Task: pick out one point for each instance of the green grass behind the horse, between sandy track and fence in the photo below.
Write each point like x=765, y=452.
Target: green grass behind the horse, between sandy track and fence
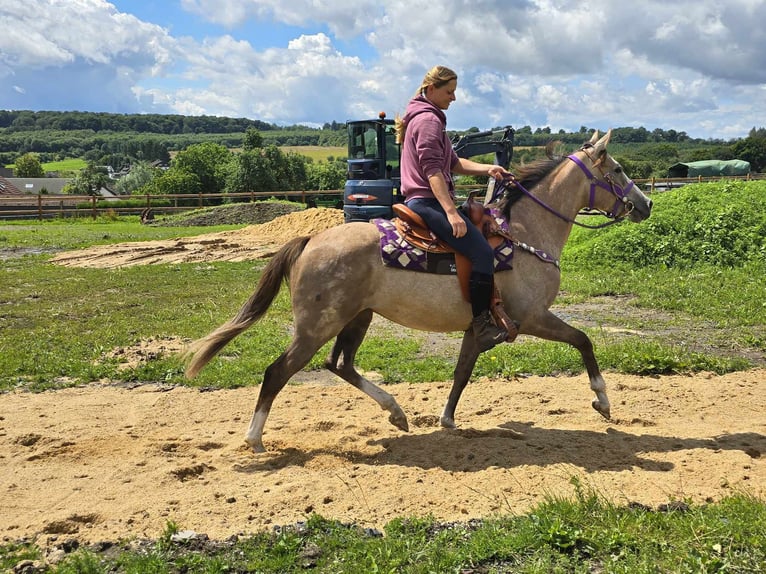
x=118, y=308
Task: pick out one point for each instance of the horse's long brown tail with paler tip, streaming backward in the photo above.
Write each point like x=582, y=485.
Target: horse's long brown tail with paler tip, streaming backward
x=201, y=351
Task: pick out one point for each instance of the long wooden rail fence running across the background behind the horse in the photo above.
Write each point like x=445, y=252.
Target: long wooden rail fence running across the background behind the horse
x=50, y=206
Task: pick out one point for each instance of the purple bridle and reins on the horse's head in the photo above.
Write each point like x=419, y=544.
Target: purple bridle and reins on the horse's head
x=622, y=206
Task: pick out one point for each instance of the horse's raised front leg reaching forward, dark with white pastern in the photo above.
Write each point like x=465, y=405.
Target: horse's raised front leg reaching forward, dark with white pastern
x=552, y=328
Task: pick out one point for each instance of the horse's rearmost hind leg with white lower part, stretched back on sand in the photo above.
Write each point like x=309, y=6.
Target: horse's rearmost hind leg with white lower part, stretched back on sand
x=276, y=375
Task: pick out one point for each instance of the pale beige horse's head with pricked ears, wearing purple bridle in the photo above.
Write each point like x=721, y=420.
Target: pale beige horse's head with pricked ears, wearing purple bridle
x=612, y=192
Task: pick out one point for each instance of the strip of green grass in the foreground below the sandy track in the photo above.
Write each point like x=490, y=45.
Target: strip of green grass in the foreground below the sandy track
x=584, y=533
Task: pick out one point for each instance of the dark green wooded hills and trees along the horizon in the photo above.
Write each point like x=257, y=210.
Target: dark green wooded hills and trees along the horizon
x=122, y=140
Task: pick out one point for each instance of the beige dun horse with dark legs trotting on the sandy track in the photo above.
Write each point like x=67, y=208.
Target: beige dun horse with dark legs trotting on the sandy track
x=337, y=282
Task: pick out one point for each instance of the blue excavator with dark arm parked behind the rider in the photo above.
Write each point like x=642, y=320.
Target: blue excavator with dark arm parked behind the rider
x=372, y=183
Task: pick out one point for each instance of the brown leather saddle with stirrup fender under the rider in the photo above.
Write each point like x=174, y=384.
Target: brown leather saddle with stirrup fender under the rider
x=415, y=231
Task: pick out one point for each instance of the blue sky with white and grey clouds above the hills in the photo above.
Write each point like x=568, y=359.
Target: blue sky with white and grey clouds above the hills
x=697, y=66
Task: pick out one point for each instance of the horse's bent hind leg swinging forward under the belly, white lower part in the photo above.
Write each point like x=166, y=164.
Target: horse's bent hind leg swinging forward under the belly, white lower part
x=341, y=362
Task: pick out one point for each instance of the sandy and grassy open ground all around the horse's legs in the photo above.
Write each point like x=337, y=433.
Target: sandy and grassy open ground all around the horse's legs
x=105, y=440
